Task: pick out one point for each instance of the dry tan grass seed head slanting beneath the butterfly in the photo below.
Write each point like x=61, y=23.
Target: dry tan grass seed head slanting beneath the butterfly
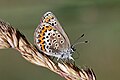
x=12, y=38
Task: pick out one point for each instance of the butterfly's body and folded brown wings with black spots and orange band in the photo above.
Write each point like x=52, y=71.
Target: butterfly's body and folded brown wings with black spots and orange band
x=50, y=38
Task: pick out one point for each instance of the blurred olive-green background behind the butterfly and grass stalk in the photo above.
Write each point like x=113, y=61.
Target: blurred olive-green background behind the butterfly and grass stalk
x=99, y=20
